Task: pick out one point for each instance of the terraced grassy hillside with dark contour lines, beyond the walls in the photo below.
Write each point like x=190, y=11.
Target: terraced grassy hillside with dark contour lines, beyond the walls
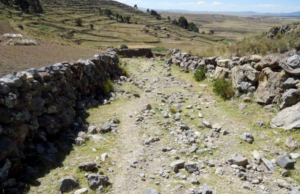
x=143, y=30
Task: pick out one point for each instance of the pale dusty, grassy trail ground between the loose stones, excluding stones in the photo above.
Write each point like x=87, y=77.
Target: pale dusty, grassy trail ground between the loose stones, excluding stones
x=124, y=146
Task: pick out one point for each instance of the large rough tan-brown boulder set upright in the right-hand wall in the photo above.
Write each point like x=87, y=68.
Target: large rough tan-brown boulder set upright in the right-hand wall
x=270, y=86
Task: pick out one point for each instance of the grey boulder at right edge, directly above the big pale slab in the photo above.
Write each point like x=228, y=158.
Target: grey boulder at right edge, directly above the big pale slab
x=290, y=98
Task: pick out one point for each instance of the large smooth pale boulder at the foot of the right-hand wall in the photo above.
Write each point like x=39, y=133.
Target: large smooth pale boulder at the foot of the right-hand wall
x=288, y=118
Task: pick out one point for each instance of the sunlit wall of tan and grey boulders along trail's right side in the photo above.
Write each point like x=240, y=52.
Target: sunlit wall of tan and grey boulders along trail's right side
x=271, y=80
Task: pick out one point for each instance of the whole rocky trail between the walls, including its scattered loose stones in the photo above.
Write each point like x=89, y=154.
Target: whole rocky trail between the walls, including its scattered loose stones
x=170, y=134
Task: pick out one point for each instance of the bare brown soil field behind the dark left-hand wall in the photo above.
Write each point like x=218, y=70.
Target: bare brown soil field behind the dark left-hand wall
x=17, y=58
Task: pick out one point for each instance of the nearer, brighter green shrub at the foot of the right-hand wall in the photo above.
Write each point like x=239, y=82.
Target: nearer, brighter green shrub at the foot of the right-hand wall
x=223, y=88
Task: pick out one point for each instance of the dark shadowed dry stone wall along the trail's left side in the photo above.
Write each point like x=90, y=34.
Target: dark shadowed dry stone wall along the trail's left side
x=35, y=105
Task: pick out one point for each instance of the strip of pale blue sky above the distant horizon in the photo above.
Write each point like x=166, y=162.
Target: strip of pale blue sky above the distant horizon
x=270, y=6
